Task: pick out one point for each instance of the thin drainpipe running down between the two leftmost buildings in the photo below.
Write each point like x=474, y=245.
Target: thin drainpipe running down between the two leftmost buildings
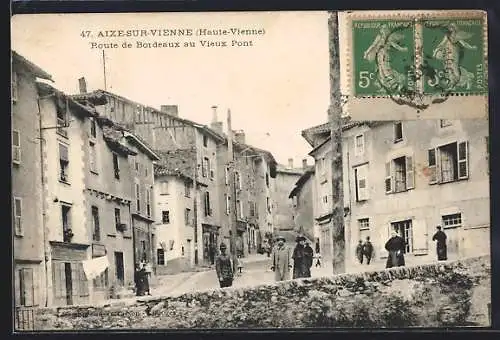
x=46, y=252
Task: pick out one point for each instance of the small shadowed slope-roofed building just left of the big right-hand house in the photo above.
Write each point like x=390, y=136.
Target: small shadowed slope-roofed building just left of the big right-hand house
x=302, y=196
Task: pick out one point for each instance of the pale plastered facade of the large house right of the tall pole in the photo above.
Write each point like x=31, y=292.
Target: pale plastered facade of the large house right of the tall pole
x=412, y=176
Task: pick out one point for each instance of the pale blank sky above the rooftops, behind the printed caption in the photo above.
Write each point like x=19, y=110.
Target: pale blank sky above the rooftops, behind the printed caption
x=275, y=88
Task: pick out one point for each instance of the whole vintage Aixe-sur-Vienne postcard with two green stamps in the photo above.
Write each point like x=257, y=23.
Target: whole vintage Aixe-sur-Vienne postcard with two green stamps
x=250, y=170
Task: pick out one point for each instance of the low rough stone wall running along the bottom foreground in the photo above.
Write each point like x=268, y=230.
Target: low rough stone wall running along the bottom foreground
x=437, y=295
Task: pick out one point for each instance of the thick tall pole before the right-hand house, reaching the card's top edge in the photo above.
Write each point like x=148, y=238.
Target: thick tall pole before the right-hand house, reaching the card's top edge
x=334, y=118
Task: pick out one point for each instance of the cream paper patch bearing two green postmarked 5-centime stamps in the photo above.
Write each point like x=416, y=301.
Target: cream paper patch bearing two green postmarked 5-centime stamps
x=411, y=61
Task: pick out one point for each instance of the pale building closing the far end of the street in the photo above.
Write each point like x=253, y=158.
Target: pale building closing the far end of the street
x=281, y=206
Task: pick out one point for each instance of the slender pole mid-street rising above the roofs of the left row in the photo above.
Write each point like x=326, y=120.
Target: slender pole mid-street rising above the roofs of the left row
x=232, y=189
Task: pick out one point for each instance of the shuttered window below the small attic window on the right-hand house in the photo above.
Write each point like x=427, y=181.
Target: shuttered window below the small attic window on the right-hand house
x=399, y=175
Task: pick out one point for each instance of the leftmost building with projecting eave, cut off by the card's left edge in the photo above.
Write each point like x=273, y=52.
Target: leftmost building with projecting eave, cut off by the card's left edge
x=26, y=175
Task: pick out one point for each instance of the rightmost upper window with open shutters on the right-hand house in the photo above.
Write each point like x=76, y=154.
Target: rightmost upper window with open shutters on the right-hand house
x=448, y=163
